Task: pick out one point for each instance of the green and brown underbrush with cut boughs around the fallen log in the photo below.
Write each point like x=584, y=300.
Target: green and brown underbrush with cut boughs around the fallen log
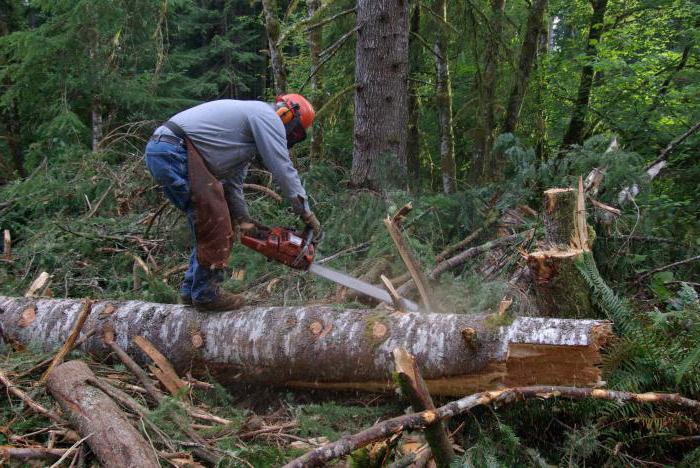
x=93, y=221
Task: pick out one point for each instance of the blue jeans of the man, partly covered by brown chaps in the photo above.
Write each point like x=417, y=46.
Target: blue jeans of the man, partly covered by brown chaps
x=167, y=163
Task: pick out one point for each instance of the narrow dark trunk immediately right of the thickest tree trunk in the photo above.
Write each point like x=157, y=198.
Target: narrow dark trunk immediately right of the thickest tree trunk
x=413, y=139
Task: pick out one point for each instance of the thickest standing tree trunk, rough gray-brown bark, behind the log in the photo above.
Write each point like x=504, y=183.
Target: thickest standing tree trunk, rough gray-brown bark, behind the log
x=381, y=96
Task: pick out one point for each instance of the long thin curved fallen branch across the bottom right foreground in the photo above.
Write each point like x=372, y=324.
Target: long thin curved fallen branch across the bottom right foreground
x=397, y=425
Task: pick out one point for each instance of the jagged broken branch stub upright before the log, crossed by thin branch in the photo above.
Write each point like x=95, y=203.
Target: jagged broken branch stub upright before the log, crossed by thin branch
x=416, y=391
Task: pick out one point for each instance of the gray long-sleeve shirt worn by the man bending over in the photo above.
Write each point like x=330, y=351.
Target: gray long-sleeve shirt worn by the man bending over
x=229, y=133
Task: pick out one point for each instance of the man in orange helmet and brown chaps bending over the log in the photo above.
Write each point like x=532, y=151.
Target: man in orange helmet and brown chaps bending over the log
x=200, y=158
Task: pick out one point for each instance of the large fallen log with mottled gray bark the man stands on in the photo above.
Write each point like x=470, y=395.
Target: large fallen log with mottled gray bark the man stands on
x=322, y=347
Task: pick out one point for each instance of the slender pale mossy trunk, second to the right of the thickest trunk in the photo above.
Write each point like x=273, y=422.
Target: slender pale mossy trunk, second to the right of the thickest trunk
x=444, y=100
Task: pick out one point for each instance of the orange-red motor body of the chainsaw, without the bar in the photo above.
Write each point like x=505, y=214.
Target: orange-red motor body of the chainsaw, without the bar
x=282, y=245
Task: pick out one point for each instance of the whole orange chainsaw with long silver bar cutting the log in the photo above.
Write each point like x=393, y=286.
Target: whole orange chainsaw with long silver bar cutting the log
x=295, y=249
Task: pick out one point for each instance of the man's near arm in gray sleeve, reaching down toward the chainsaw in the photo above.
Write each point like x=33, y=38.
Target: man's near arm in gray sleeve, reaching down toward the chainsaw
x=271, y=143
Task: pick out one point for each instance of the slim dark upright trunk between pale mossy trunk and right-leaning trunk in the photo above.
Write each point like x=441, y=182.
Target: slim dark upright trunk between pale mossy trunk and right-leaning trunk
x=485, y=163
